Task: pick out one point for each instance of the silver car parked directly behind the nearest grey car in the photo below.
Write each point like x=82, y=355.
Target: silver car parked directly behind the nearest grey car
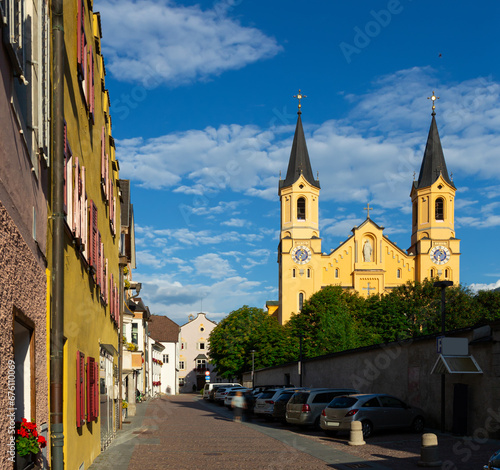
x=305, y=406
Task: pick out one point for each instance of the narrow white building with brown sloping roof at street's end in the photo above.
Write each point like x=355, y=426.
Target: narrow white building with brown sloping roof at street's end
x=166, y=332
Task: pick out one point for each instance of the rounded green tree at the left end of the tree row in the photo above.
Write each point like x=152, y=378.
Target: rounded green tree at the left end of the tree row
x=244, y=330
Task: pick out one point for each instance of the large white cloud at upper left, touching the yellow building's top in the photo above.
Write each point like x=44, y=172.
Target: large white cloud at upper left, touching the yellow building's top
x=159, y=42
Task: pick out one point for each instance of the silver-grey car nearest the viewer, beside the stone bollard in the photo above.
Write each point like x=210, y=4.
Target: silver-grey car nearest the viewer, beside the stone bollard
x=375, y=411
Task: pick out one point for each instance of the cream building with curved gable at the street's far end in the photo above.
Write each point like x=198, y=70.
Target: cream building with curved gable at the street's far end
x=194, y=353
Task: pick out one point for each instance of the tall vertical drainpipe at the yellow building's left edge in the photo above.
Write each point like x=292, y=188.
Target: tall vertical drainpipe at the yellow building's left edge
x=57, y=300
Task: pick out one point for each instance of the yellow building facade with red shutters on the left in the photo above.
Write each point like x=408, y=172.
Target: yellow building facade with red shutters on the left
x=92, y=243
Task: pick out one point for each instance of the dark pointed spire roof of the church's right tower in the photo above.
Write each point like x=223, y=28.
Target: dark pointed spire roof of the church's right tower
x=433, y=163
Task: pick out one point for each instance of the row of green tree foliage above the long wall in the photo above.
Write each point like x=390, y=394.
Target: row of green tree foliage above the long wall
x=334, y=319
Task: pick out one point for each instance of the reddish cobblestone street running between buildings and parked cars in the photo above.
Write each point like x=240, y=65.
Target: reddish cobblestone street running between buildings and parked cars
x=185, y=432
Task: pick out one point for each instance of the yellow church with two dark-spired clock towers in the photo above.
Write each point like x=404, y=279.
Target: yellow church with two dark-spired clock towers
x=367, y=262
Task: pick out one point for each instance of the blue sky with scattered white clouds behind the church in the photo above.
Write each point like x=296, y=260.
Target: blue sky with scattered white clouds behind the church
x=203, y=116
